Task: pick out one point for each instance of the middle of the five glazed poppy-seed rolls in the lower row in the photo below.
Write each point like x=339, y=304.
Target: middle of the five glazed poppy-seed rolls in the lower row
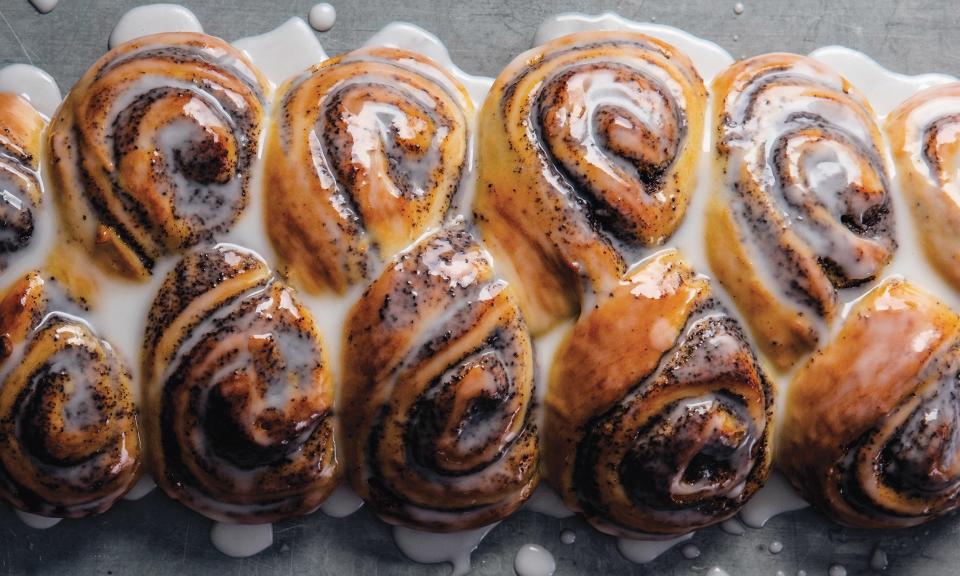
x=438, y=396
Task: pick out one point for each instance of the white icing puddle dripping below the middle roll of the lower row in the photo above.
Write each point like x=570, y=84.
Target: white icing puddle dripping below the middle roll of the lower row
x=433, y=548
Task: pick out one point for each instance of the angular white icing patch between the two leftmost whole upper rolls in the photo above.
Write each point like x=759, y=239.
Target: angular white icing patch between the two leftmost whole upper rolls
x=285, y=51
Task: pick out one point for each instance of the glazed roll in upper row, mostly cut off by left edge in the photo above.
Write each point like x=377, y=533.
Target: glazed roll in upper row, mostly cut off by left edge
x=21, y=197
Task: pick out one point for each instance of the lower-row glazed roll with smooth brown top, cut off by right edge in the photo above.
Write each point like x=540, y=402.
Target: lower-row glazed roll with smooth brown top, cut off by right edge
x=870, y=432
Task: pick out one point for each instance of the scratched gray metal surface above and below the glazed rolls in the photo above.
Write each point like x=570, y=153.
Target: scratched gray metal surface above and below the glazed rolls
x=157, y=537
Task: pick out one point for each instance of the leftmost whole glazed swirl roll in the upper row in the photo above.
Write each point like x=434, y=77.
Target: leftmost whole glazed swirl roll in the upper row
x=152, y=150
